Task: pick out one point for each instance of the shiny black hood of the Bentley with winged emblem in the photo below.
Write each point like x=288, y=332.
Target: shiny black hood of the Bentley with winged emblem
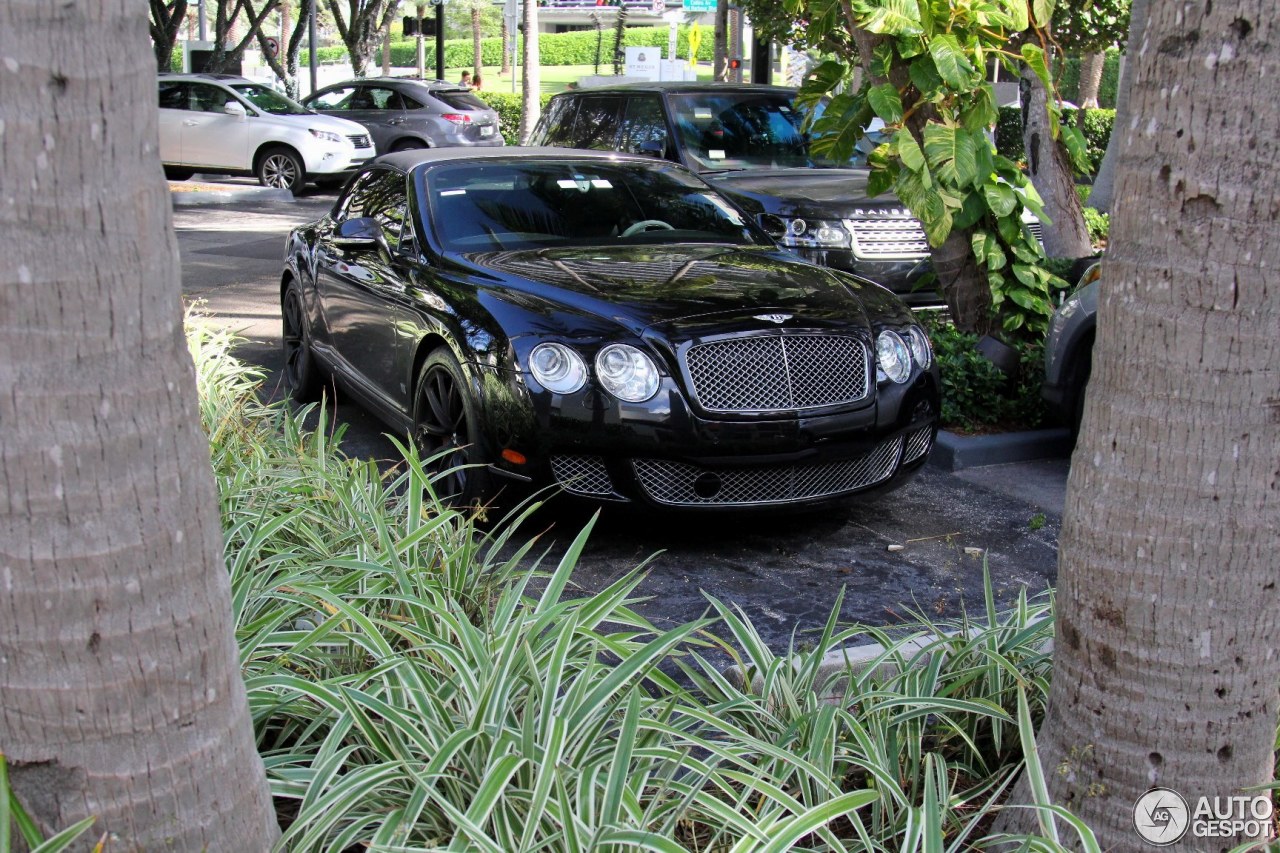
x=691, y=290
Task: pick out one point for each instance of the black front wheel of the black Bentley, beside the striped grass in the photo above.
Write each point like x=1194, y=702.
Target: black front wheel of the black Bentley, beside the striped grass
x=447, y=431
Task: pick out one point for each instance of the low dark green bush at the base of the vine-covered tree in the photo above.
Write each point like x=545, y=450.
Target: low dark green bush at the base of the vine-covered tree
x=976, y=395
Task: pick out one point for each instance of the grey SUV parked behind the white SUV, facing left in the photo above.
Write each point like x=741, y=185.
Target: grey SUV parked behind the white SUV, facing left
x=404, y=115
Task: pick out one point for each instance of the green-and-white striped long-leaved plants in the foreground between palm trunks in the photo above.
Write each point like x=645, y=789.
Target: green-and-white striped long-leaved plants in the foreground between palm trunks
x=415, y=685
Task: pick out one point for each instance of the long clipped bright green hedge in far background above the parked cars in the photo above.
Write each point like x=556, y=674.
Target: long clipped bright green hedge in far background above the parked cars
x=554, y=49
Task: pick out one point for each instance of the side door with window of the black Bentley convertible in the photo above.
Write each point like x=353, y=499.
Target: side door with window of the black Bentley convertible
x=362, y=291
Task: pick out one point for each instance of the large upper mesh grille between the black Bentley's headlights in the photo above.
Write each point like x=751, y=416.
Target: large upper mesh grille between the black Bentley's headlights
x=779, y=373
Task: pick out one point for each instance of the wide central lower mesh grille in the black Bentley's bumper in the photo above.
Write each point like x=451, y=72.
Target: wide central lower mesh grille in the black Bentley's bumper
x=684, y=485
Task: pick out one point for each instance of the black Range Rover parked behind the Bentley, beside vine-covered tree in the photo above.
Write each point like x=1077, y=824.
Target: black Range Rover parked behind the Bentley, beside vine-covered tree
x=747, y=142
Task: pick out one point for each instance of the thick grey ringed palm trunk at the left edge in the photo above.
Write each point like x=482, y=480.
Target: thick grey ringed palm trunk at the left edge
x=120, y=674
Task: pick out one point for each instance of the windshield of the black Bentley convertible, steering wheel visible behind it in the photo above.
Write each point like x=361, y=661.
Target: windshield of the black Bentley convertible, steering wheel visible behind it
x=537, y=204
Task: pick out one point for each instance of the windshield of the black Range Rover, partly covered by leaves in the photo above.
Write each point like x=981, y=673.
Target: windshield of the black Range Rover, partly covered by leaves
x=747, y=131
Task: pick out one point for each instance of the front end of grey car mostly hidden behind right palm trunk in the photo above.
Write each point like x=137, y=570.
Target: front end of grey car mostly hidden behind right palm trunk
x=1069, y=349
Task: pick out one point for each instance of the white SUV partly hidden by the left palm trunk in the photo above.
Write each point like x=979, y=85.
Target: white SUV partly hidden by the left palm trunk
x=232, y=126
